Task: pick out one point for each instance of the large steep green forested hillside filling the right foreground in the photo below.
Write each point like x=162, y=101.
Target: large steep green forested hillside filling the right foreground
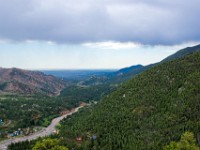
x=148, y=112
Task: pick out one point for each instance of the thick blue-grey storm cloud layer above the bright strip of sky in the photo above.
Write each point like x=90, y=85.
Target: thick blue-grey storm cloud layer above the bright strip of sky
x=76, y=21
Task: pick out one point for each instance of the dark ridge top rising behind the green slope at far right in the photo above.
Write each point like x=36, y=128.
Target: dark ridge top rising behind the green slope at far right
x=182, y=53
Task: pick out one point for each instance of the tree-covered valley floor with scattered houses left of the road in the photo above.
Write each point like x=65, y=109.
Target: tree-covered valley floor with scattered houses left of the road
x=25, y=113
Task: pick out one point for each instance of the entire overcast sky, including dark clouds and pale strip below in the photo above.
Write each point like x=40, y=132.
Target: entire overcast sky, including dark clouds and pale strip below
x=77, y=34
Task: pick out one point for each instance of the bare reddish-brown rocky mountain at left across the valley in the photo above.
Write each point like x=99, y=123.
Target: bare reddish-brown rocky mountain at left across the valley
x=17, y=81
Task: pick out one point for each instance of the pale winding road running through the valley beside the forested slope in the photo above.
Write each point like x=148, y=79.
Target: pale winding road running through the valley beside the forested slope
x=45, y=132
